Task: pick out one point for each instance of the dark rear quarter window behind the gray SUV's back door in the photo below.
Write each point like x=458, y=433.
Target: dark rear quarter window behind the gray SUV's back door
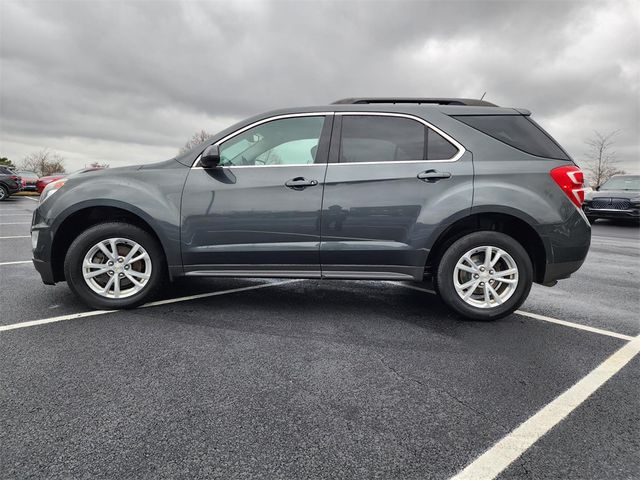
x=518, y=131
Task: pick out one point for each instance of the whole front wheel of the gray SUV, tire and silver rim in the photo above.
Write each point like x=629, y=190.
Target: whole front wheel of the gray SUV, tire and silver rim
x=115, y=265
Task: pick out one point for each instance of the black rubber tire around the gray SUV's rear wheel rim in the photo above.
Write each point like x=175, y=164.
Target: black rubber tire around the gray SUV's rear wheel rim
x=446, y=268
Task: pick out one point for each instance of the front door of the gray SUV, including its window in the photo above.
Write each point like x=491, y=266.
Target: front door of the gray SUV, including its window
x=258, y=213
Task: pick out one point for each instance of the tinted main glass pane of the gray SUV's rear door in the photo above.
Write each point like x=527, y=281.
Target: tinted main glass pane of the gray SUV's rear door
x=369, y=138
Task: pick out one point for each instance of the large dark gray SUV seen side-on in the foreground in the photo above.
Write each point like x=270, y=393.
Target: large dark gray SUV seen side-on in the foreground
x=477, y=198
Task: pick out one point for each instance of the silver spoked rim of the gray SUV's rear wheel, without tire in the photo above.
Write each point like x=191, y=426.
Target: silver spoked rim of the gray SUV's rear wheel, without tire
x=485, y=277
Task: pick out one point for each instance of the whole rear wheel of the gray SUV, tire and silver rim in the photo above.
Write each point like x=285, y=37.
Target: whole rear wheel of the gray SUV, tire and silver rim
x=484, y=275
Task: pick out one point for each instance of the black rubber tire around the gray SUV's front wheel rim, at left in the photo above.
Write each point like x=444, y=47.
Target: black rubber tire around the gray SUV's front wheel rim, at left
x=93, y=235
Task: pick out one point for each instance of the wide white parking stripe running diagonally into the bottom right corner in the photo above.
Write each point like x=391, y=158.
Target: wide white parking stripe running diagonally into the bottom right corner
x=495, y=460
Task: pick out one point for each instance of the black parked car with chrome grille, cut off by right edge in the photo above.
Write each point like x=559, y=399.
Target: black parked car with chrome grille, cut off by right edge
x=618, y=198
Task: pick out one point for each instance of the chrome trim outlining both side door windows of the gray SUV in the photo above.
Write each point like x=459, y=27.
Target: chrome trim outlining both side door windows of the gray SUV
x=456, y=157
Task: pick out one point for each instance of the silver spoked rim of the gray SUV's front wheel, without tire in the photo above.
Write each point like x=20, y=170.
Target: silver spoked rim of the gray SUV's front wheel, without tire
x=116, y=268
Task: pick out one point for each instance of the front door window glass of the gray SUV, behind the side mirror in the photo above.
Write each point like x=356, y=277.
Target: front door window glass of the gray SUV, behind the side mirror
x=288, y=141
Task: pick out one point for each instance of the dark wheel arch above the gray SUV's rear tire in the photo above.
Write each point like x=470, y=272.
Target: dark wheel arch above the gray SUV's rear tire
x=515, y=224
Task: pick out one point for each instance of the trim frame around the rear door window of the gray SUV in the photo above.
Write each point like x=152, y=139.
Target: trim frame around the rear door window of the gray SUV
x=334, y=159
